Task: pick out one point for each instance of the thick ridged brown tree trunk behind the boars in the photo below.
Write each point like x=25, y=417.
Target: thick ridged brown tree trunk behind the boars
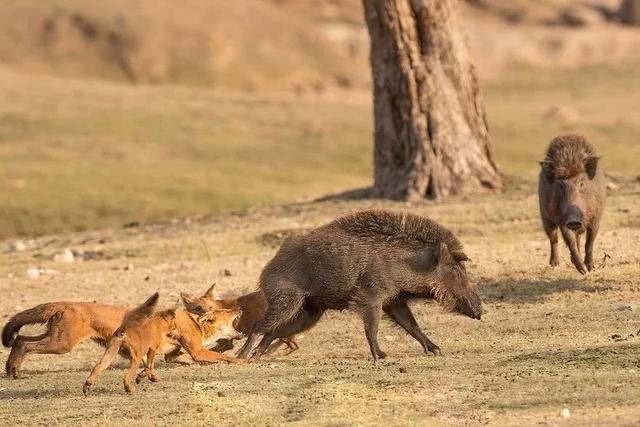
x=431, y=136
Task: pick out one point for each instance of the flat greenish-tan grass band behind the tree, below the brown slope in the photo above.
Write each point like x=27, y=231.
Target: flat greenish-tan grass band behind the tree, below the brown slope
x=78, y=154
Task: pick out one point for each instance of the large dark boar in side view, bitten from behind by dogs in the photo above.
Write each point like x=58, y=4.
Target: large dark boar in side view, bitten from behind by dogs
x=372, y=262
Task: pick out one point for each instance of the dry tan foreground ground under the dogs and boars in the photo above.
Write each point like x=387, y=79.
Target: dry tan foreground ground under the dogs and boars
x=554, y=347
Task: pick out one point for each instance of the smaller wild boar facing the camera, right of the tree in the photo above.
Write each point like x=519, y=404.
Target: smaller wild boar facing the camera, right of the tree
x=572, y=191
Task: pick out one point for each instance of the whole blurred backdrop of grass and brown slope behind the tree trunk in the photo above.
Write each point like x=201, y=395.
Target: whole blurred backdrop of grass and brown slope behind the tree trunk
x=120, y=111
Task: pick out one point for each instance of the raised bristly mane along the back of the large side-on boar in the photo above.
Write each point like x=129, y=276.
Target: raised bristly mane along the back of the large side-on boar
x=398, y=228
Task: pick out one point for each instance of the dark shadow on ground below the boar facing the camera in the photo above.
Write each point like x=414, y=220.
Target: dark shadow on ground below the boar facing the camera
x=513, y=291
